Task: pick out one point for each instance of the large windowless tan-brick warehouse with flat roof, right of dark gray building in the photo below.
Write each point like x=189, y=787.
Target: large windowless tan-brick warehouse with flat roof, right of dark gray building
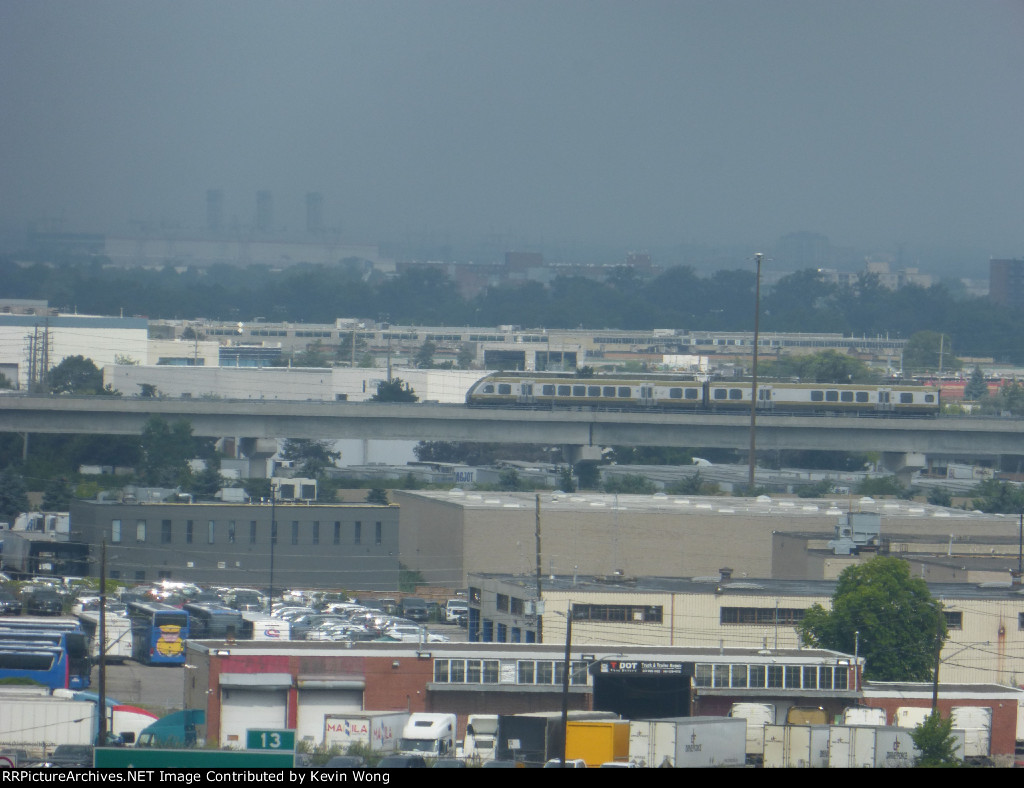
x=448, y=535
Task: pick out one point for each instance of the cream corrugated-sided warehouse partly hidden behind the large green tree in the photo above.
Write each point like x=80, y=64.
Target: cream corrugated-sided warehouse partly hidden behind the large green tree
x=986, y=622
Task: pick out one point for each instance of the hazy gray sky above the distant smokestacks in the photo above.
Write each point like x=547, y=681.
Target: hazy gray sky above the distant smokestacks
x=635, y=123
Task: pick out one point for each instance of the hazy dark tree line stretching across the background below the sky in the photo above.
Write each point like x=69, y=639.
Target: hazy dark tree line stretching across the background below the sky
x=625, y=300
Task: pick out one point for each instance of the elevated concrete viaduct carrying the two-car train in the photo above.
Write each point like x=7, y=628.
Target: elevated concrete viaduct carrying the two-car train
x=904, y=443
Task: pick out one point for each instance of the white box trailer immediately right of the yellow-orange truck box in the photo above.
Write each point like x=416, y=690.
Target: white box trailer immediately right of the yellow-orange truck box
x=689, y=742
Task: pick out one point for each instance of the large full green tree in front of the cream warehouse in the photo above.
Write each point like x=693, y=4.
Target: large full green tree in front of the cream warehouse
x=885, y=615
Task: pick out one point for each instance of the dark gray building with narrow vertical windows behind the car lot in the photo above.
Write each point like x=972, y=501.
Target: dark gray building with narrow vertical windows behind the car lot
x=339, y=546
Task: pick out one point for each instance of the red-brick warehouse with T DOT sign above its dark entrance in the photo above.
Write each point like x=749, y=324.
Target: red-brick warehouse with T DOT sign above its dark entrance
x=253, y=685
